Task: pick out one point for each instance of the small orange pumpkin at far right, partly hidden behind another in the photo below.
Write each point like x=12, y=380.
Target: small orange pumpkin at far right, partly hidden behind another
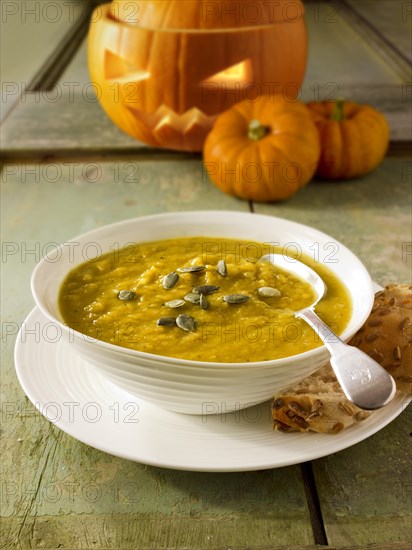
x=354, y=138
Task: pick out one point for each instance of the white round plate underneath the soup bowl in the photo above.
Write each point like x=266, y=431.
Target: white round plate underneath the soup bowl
x=72, y=395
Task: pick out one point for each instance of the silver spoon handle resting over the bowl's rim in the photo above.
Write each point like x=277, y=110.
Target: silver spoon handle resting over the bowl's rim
x=363, y=380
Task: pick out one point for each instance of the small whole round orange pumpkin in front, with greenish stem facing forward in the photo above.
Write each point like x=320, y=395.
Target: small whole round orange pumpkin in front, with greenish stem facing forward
x=264, y=150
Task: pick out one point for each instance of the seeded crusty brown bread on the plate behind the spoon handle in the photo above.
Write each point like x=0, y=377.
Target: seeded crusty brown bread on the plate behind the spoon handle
x=318, y=403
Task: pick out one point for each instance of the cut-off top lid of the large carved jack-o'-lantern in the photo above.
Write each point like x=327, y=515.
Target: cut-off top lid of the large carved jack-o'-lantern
x=206, y=14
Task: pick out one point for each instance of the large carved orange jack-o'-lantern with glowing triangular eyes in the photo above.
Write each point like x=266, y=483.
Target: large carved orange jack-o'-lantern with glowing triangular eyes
x=164, y=69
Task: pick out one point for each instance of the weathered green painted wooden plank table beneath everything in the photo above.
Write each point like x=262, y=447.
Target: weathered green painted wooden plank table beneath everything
x=66, y=169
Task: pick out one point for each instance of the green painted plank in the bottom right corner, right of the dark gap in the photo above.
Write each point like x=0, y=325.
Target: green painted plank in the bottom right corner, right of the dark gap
x=366, y=491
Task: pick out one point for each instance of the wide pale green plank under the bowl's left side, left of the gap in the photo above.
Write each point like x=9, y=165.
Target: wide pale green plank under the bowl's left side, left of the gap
x=57, y=490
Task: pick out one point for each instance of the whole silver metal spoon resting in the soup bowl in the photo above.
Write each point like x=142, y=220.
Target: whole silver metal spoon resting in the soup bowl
x=362, y=379
